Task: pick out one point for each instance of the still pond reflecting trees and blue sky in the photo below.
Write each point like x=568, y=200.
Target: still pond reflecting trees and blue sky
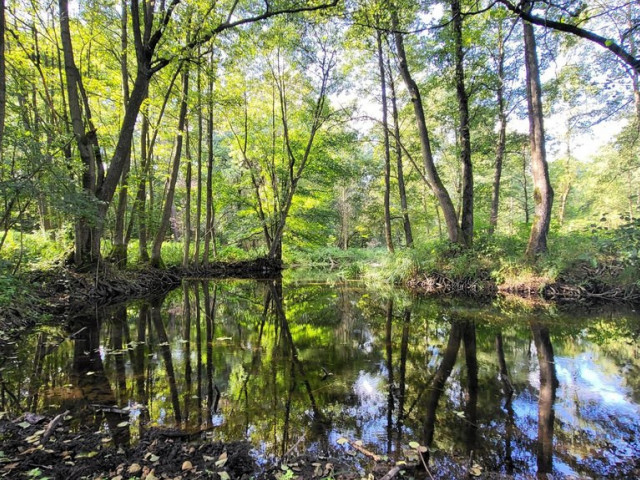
x=507, y=386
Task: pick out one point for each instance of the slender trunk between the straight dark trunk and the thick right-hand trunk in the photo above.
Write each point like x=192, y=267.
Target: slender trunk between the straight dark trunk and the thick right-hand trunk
x=502, y=136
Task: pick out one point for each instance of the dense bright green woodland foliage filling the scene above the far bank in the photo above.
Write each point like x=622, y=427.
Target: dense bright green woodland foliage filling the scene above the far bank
x=283, y=143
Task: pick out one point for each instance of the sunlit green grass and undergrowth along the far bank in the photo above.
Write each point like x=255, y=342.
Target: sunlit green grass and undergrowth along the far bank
x=613, y=252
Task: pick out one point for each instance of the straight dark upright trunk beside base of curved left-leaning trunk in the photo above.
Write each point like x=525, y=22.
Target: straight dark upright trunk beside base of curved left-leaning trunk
x=466, y=218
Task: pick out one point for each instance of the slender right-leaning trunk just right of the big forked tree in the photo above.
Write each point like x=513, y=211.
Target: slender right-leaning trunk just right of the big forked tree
x=156, y=250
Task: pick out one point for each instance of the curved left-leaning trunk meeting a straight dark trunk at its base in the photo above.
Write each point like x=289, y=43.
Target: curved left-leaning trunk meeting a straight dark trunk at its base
x=449, y=211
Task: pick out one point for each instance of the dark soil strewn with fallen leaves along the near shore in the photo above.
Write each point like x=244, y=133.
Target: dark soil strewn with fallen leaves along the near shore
x=79, y=453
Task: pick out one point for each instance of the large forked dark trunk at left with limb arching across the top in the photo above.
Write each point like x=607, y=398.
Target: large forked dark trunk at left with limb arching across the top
x=150, y=26
